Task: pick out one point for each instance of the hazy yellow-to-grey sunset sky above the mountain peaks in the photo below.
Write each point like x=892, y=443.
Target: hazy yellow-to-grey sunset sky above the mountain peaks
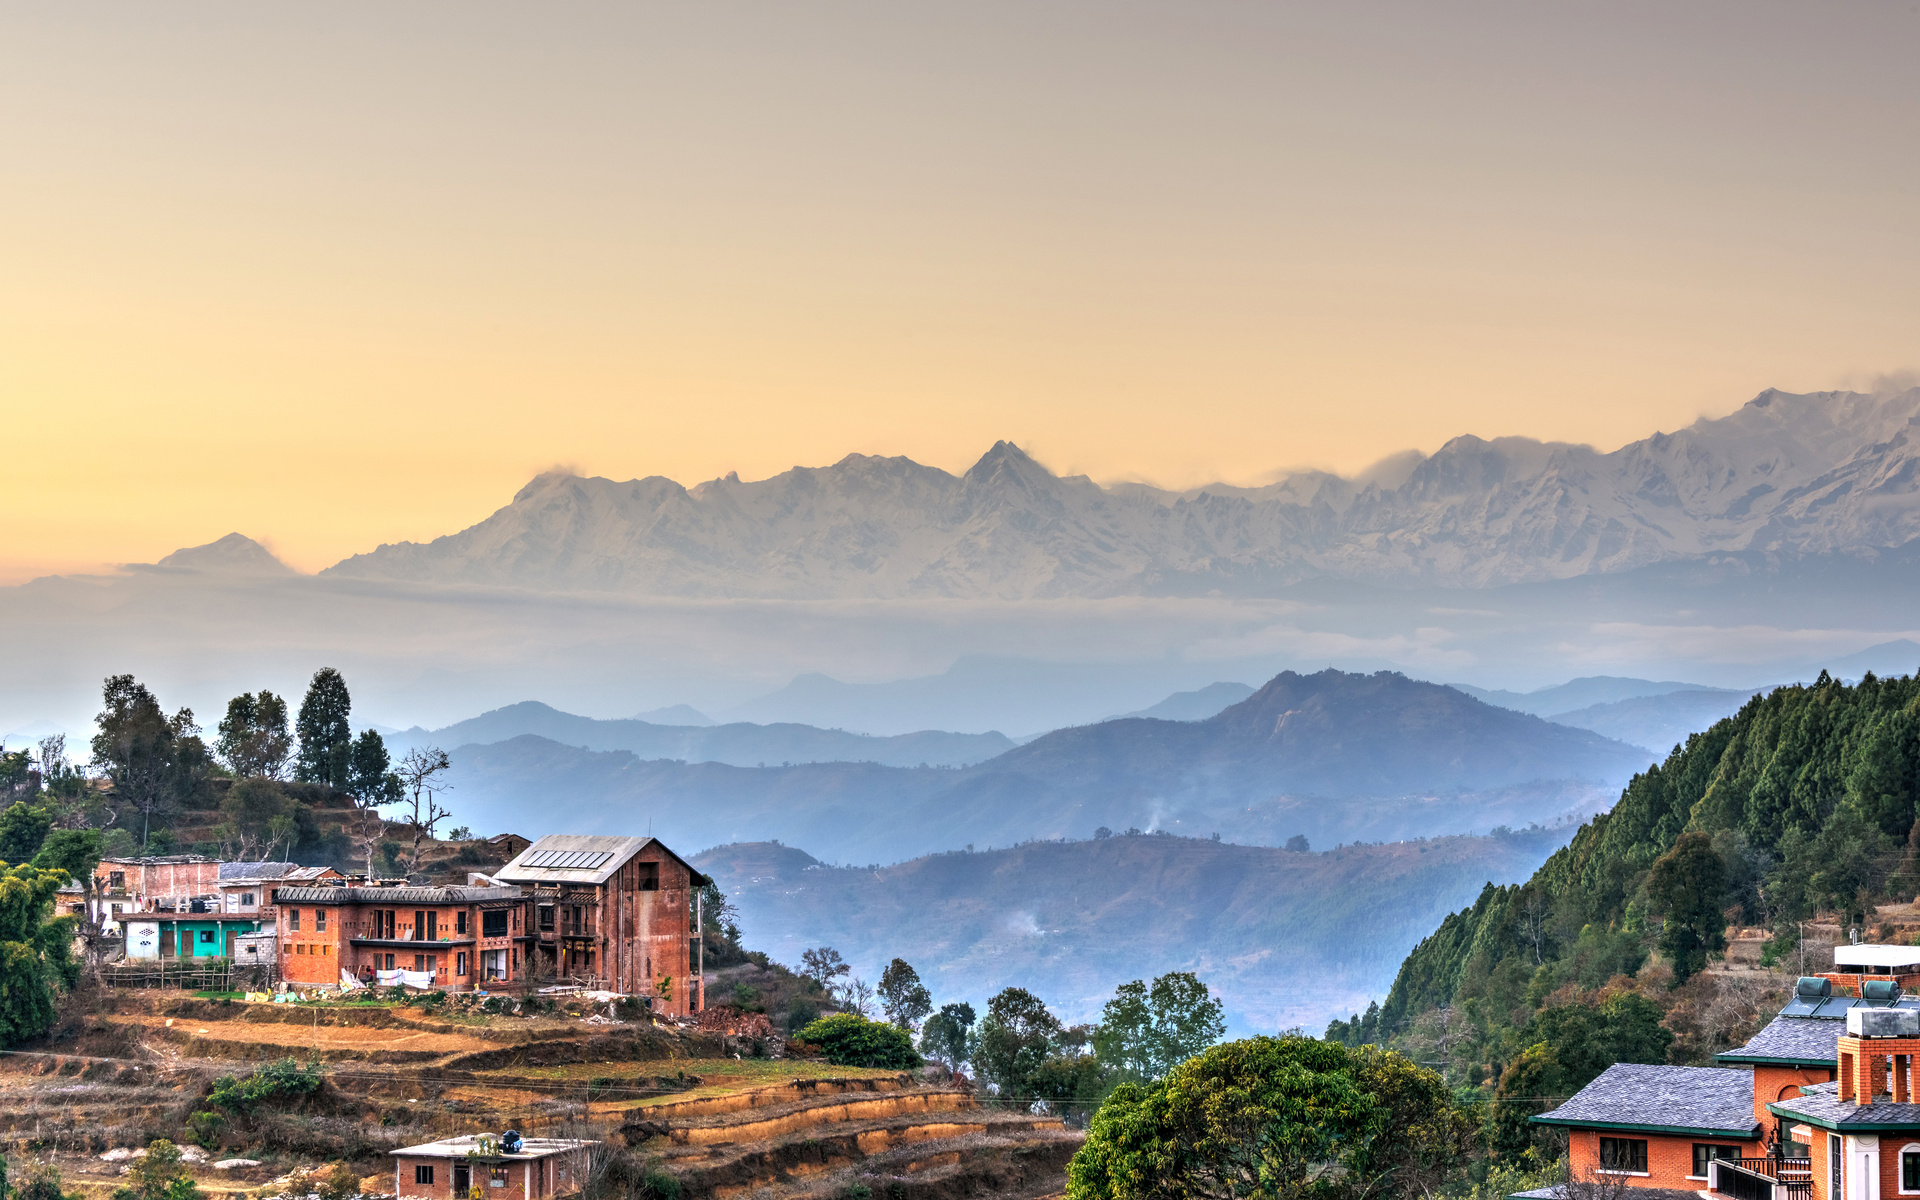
x=339, y=276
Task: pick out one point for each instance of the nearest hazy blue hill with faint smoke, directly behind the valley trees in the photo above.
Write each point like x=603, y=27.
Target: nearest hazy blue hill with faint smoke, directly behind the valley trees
x=1284, y=938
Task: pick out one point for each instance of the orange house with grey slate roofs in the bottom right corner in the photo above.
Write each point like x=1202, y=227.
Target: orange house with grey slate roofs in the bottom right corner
x=1817, y=1107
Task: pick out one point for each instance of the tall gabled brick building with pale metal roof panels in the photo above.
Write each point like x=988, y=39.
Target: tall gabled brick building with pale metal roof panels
x=617, y=913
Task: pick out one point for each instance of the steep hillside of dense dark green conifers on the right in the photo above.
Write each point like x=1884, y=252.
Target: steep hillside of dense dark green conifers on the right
x=1798, y=805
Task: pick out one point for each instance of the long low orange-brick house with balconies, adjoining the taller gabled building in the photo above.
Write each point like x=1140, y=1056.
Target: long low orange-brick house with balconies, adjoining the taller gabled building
x=454, y=938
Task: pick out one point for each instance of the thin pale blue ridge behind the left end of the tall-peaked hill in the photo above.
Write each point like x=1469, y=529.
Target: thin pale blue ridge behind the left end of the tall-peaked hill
x=736, y=744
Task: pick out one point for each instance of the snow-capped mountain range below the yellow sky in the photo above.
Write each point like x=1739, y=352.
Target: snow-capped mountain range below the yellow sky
x=1829, y=471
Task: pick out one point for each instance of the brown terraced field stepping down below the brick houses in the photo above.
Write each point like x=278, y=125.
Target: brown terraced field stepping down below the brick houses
x=667, y=1097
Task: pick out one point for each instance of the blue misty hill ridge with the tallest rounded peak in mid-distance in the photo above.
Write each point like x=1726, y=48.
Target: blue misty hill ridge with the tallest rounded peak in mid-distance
x=1335, y=757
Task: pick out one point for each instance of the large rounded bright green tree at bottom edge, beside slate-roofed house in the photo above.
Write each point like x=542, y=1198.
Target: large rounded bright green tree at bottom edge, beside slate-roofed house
x=1276, y=1116
